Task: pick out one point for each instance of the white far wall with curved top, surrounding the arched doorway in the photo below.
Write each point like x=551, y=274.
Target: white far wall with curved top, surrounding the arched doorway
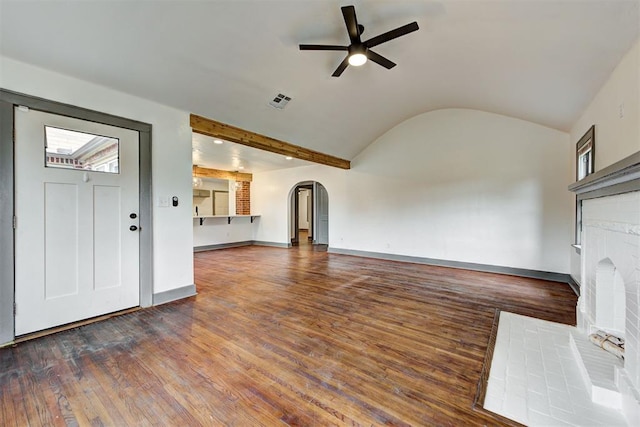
x=453, y=184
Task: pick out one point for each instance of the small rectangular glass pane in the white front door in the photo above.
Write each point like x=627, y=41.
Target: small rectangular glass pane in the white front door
x=70, y=149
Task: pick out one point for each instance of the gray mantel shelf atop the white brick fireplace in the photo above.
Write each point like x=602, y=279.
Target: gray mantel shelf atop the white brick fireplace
x=620, y=177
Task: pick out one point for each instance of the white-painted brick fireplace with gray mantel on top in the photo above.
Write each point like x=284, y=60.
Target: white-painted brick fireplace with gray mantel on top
x=610, y=268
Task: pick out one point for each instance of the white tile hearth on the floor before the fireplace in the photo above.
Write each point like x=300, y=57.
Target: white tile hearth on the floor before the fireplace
x=536, y=380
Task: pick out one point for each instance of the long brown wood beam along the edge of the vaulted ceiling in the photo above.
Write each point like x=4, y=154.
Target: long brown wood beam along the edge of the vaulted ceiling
x=230, y=133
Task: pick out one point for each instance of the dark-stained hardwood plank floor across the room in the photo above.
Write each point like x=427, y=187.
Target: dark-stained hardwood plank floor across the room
x=281, y=337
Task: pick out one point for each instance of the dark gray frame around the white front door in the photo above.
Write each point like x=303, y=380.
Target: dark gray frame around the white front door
x=8, y=100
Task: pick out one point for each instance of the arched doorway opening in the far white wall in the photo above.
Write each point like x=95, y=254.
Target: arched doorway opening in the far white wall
x=309, y=214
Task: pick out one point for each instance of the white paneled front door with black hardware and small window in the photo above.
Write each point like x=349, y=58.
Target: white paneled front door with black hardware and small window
x=76, y=207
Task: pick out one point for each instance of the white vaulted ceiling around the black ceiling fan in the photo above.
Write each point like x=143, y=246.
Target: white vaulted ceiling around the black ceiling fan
x=538, y=60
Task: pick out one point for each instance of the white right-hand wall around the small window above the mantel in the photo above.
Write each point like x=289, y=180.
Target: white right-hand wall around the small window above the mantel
x=616, y=137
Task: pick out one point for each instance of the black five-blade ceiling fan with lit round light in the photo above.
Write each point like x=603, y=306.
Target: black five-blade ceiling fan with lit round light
x=359, y=51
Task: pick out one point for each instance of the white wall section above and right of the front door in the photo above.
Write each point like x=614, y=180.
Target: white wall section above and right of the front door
x=171, y=158
